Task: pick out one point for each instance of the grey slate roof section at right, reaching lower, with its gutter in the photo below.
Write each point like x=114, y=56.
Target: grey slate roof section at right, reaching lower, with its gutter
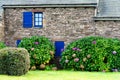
x=108, y=10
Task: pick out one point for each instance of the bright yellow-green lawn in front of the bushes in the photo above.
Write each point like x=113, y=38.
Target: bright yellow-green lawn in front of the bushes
x=64, y=75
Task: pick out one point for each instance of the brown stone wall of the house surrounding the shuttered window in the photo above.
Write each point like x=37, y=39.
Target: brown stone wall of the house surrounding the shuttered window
x=66, y=24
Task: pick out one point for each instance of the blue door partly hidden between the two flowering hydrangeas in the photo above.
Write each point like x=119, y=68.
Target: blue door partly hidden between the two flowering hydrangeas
x=59, y=47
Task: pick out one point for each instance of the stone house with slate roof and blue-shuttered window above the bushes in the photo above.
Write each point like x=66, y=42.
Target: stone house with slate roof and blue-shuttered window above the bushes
x=59, y=20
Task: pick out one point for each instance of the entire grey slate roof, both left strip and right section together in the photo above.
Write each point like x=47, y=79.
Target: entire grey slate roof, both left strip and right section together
x=106, y=9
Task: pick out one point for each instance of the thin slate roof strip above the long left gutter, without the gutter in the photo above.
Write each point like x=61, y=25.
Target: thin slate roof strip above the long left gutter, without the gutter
x=12, y=2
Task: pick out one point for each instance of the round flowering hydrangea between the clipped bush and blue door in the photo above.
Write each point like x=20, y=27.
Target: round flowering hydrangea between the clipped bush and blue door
x=41, y=50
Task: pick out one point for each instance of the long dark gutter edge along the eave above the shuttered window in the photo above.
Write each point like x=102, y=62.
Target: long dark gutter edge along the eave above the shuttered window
x=49, y=5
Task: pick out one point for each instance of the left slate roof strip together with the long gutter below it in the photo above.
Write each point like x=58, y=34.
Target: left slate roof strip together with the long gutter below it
x=50, y=3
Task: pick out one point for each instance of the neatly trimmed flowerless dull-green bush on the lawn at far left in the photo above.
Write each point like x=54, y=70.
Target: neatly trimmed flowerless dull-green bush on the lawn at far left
x=15, y=61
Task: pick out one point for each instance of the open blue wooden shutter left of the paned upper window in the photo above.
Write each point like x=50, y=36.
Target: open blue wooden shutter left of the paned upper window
x=27, y=19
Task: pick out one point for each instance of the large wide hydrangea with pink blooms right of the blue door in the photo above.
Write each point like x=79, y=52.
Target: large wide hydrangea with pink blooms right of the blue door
x=92, y=54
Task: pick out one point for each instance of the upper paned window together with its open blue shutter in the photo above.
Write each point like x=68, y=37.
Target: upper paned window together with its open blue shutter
x=30, y=21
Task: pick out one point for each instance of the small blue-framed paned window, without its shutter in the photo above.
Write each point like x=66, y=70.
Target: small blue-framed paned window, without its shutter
x=38, y=19
